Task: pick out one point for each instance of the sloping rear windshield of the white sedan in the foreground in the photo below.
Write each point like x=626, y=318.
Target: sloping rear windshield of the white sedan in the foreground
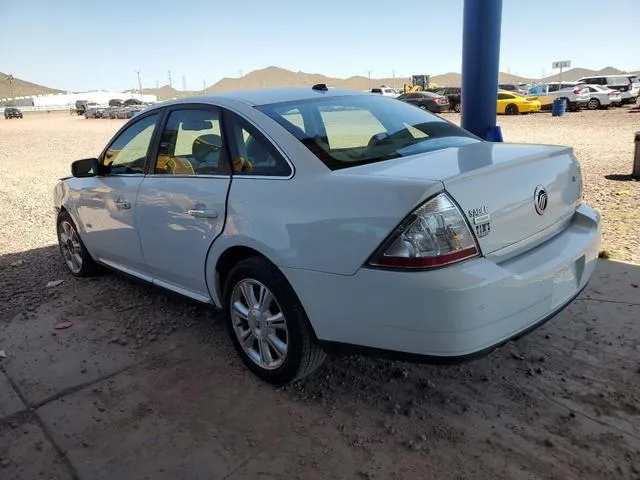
x=358, y=129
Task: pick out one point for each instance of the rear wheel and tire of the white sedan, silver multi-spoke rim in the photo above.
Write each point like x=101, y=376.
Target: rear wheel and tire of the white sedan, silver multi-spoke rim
x=243, y=287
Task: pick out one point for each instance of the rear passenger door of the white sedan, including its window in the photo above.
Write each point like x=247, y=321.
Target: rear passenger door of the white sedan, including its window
x=181, y=202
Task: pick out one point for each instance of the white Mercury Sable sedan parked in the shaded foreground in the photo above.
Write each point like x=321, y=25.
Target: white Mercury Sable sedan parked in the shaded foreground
x=326, y=220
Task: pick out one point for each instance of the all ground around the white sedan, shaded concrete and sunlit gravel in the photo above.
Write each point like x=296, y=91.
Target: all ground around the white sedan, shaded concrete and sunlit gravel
x=145, y=384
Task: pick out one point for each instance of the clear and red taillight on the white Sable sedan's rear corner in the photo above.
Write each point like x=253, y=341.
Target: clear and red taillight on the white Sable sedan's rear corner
x=433, y=235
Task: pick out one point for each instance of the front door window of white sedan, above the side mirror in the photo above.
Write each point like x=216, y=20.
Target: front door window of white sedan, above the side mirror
x=128, y=153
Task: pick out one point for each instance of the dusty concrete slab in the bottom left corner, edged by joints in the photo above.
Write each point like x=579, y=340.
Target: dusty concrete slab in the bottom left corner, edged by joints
x=25, y=454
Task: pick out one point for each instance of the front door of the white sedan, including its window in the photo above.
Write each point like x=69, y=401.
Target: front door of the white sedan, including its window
x=106, y=207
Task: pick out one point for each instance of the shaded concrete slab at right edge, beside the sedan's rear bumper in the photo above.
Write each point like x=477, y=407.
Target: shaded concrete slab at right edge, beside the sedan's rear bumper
x=615, y=281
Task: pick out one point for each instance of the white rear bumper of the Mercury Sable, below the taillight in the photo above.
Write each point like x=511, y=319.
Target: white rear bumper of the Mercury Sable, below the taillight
x=456, y=311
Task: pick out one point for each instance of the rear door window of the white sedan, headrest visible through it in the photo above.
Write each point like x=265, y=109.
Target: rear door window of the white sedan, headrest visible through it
x=191, y=144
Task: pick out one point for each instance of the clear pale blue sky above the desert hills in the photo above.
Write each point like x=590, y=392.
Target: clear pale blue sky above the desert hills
x=96, y=44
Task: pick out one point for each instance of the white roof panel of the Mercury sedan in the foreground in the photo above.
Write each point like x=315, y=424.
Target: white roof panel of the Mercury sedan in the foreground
x=266, y=96
